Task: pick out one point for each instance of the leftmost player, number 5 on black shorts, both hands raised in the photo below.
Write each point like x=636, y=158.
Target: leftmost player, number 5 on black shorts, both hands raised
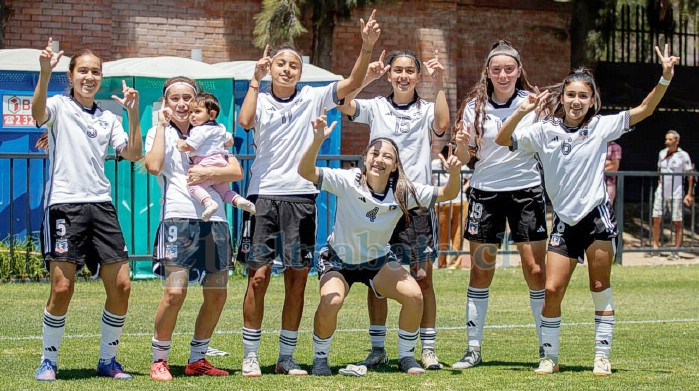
x=80, y=223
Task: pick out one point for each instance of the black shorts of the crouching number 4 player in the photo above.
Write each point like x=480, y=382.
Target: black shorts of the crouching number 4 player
x=329, y=261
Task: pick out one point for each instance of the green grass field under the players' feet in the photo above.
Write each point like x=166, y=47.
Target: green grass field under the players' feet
x=656, y=339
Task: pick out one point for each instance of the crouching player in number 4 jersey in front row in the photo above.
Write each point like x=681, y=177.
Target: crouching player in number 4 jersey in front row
x=369, y=204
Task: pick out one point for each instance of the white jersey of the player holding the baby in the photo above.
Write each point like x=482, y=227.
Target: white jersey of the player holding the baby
x=176, y=201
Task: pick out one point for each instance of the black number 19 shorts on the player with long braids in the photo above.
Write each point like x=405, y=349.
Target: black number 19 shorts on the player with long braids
x=524, y=210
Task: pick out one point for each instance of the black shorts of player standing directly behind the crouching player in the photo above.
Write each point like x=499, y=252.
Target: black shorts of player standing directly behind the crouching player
x=413, y=243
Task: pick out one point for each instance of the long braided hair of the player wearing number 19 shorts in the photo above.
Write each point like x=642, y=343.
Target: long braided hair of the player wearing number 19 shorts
x=483, y=90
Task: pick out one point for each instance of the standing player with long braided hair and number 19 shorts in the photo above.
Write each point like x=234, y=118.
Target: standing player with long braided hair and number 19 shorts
x=505, y=186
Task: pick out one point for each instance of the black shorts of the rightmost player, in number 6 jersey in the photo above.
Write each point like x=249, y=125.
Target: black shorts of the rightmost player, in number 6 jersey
x=572, y=241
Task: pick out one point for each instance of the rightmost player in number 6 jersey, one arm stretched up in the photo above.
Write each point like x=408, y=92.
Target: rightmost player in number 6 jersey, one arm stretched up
x=572, y=144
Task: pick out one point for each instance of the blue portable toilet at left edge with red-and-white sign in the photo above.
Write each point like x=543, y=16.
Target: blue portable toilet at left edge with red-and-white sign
x=22, y=180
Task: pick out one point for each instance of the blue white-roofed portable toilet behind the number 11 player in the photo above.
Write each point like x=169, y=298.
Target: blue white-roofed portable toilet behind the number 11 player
x=311, y=75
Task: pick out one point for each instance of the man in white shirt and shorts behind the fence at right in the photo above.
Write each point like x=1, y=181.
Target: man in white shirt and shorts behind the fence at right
x=668, y=195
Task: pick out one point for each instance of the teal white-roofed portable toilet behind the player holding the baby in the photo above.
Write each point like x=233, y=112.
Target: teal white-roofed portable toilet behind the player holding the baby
x=136, y=194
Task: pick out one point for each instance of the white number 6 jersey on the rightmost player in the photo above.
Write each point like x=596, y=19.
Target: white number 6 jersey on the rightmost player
x=573, y=160
